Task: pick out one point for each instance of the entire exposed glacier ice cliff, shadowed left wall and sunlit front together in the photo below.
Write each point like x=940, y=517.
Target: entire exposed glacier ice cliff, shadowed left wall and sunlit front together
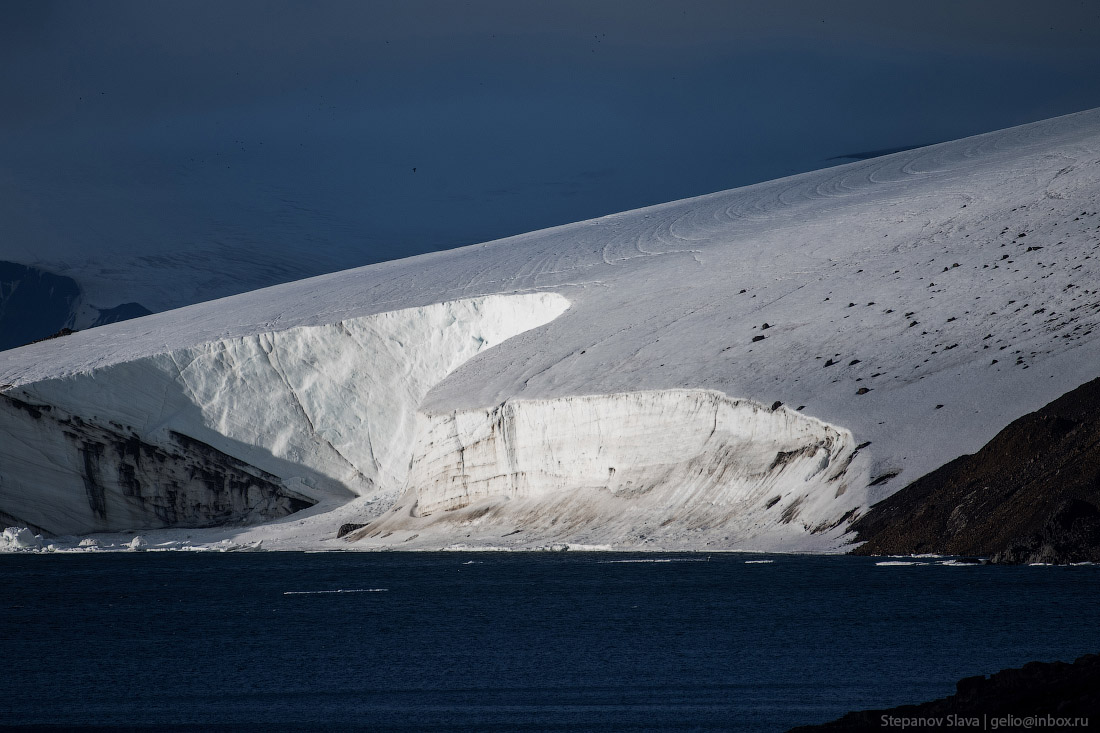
x=251, y=430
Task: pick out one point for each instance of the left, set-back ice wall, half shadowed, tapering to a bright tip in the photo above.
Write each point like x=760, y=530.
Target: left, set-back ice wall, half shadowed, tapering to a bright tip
x=309, y=414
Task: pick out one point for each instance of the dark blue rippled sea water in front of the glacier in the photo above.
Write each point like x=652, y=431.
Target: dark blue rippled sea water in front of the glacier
x=511, y=642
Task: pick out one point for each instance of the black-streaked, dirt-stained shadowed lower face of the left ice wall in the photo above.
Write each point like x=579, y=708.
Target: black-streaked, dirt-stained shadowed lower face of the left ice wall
x=130, y=484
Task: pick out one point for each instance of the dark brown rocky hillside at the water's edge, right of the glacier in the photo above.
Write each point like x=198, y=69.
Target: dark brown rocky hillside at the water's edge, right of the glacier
x=1029, y=496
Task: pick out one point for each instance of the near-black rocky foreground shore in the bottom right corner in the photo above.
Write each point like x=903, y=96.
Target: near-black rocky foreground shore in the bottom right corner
x=1057, y=693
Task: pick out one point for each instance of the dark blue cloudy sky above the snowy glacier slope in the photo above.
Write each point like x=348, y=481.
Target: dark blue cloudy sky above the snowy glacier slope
x=152, y=129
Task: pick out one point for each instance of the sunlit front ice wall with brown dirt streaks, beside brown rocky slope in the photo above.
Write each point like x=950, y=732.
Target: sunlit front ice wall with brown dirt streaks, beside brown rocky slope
x=676, y=468
